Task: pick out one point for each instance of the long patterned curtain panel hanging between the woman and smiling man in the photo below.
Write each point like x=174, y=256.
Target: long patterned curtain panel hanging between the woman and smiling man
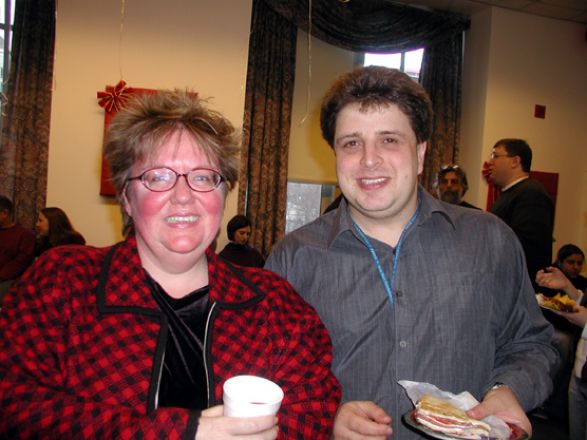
x=266, y=125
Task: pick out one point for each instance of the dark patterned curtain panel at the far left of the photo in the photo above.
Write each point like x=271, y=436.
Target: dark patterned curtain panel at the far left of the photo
x=24, y=140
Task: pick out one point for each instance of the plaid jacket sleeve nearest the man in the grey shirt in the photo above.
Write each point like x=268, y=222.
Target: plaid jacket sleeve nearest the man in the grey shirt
x=312, y=392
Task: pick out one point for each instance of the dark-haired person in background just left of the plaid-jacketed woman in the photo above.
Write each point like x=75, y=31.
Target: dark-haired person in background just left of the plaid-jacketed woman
x=55, y=229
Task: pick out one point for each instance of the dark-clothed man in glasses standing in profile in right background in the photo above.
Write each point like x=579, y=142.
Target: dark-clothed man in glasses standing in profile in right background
x=523, y=204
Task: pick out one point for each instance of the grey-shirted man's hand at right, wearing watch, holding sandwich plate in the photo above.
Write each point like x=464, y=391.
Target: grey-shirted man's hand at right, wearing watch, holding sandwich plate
x=502, y=403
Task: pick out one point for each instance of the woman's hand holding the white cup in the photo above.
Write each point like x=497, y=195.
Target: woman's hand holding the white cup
x=214, y=426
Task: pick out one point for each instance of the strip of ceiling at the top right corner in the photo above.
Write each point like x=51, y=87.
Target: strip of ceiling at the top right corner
x=569, y=10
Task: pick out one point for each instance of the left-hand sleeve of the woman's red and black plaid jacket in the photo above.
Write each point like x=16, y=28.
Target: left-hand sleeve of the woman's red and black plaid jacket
x=34, y=344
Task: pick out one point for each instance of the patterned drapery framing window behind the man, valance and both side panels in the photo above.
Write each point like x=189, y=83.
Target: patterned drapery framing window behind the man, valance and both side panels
x=365, y=25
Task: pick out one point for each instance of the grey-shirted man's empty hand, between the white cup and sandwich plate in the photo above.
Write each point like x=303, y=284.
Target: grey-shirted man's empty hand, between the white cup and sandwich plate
x=357, y=420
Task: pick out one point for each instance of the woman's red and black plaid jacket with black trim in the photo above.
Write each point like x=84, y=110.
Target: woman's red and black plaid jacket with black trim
x=82, y=342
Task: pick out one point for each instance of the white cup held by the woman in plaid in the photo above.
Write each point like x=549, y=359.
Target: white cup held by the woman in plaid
x=251, y=396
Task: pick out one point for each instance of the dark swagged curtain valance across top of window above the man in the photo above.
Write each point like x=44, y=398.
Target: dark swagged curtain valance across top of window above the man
x=371, y=25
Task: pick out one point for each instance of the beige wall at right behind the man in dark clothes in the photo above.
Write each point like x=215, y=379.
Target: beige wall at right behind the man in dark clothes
x=513, y=62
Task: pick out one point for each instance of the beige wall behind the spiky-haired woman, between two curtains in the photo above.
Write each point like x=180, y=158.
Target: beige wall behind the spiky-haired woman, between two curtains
x=201, y=45
